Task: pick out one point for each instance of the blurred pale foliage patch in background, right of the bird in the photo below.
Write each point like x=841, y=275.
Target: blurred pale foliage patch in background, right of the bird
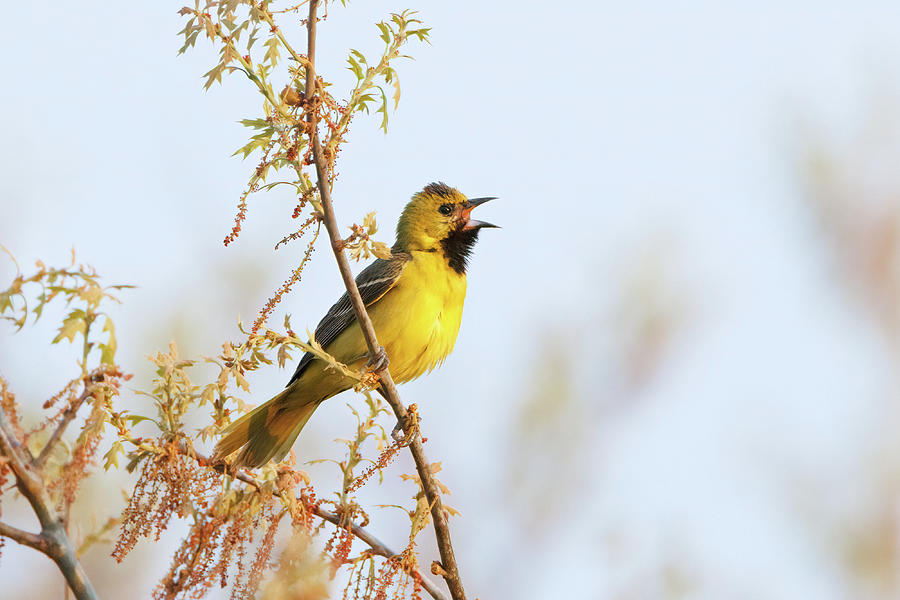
x=580, y=389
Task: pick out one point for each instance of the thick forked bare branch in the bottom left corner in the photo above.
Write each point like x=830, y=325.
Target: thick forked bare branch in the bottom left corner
x=52, y=541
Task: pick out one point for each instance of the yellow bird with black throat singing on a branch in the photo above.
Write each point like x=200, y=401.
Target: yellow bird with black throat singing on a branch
x=415, y=301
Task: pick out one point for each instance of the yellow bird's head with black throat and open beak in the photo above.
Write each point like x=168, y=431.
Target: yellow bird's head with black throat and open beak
x=439, y=219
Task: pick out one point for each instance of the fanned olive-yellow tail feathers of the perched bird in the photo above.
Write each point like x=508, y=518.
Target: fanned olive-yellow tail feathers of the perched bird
x=265, y=433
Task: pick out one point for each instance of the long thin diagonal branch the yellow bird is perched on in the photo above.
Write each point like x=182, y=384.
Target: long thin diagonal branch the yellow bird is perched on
x=432, y=493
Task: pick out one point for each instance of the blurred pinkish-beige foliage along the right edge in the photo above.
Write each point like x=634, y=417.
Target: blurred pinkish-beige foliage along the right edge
x=853, y=193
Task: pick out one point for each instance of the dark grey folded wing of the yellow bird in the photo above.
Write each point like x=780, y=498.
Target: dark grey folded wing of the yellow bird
x=373, y=282
